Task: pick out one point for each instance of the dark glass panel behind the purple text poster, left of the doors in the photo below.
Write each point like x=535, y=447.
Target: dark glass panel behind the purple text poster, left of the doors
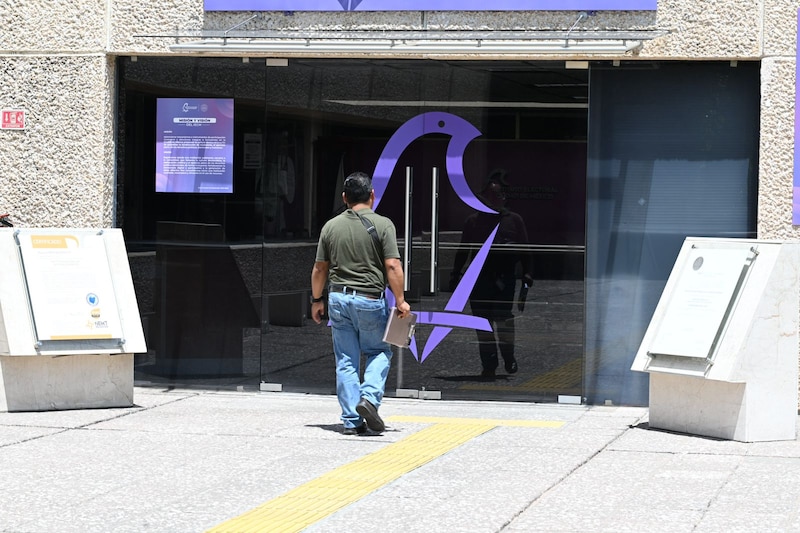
x=196, y=257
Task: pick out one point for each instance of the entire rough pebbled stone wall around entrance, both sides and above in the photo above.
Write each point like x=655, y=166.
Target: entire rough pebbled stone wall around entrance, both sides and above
x=57, y=62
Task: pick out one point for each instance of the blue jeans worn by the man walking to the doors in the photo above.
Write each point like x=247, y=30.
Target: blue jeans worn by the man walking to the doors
x=357, y=326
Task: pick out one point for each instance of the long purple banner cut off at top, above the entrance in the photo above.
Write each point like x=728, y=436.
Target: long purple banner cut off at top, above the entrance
x=430, y=5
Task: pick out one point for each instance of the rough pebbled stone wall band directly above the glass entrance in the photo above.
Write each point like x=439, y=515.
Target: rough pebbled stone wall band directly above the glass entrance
x=697, y=30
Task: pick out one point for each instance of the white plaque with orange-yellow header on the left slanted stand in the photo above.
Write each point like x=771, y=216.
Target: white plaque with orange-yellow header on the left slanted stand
x=69, y=285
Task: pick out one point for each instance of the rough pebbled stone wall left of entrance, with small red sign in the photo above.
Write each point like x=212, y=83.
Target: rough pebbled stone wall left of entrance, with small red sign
x=53, y=64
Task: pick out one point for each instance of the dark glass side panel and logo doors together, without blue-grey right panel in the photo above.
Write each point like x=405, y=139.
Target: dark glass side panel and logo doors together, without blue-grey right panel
x=224, y=280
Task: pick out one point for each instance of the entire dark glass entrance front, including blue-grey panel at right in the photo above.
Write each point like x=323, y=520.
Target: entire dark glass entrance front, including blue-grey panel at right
x=223, y=279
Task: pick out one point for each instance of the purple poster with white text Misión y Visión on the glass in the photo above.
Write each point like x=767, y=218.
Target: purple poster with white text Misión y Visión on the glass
x=194, y=145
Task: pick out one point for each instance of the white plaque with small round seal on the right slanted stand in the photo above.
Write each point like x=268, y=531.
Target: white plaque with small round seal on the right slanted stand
x=707, y=284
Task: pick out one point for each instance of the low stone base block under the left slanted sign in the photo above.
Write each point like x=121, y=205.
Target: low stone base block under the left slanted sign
x=42, y=383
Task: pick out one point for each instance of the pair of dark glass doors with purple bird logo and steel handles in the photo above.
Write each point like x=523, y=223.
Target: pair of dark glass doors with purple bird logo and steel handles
x=481, y=165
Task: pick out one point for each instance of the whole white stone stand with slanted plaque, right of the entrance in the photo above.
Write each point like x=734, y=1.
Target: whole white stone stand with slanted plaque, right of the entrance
x=722, y=346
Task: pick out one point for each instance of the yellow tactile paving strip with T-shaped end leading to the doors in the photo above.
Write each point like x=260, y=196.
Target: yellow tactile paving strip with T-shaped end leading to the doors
x=323, y=496
